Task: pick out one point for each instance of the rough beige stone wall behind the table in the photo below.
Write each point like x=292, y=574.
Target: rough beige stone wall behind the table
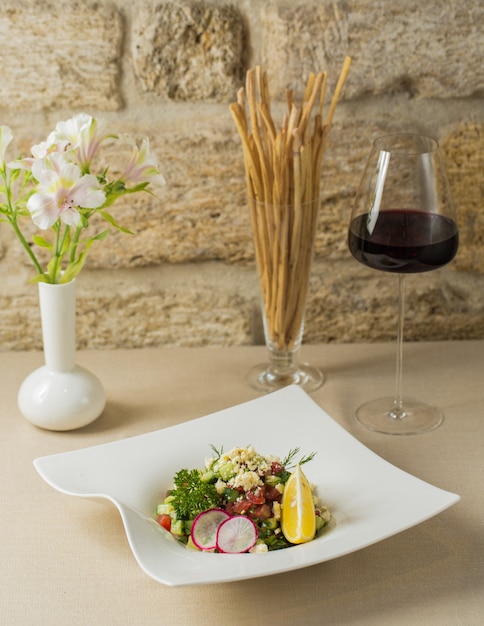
x=168, y=70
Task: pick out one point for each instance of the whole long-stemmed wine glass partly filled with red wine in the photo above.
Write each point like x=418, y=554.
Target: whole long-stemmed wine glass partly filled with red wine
x=403, y=221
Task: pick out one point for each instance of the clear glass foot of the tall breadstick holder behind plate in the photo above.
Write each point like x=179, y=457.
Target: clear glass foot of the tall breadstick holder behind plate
x=265, y=378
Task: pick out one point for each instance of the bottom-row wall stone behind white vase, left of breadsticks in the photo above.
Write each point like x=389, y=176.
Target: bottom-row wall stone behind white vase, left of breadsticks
x=189, y=306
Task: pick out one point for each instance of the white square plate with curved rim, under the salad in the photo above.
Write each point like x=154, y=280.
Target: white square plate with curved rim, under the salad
x=368, y=497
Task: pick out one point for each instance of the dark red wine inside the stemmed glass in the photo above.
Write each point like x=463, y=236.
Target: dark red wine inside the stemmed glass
x=404, y=241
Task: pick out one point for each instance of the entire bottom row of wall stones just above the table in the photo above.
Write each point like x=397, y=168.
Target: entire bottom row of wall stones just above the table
x=215, y=304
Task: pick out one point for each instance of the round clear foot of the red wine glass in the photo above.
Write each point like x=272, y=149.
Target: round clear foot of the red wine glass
x=415, y=417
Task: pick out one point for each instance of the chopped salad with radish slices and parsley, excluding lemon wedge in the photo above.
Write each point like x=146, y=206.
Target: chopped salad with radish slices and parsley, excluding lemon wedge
x=233, y=503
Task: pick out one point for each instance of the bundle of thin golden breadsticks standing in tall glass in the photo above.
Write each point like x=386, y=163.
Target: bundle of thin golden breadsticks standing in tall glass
x=283, y=172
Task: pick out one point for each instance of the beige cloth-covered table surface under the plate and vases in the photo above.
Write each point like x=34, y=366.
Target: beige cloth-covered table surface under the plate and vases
x=66, y=560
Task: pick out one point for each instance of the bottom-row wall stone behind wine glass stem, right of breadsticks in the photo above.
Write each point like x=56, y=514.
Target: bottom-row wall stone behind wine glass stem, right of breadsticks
x=350, y=303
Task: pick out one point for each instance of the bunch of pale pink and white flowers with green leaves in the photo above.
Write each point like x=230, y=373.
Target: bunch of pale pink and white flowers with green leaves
x=59, y=186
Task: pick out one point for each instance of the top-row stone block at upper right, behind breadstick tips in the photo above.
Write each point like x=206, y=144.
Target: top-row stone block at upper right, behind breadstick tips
x=420, y=49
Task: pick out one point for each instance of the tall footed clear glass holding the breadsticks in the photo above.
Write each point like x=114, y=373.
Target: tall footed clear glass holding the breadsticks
x=284, y=238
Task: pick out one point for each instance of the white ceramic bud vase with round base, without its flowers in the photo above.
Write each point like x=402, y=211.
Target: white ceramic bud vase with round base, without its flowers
x=60, y=395
